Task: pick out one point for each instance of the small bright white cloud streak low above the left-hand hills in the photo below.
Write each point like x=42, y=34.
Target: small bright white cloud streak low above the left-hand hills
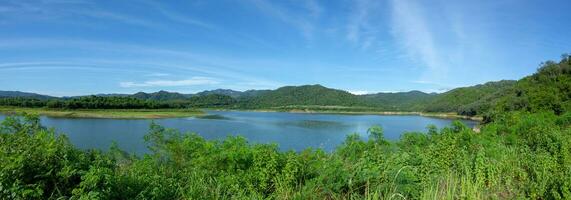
x=194, y=81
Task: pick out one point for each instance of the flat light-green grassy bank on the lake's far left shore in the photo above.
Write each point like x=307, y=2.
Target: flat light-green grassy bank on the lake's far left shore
x=106, y=113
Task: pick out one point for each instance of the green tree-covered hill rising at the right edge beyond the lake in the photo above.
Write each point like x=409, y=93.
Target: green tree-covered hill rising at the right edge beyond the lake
x=549, y=89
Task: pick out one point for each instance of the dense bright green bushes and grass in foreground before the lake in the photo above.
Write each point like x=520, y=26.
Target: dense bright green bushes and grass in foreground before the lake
x=519, y=155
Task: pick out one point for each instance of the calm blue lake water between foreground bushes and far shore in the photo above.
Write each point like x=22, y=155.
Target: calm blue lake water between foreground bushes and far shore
x=291, y=131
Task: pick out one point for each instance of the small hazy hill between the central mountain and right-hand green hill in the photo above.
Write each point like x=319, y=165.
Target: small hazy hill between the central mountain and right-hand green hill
x=400, y=101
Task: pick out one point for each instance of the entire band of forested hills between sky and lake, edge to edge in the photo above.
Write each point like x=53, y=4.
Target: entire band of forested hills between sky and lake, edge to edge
x=549, y=89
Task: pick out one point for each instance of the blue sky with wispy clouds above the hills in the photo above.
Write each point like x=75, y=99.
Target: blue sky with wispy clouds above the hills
x=77, y=47
